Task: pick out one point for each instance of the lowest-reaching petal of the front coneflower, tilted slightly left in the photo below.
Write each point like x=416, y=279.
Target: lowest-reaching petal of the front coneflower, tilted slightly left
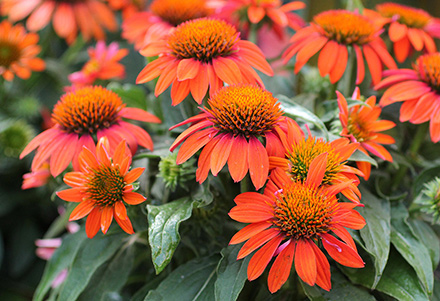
x=280, y=270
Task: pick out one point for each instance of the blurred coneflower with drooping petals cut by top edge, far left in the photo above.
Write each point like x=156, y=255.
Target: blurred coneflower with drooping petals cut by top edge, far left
x=68, y=16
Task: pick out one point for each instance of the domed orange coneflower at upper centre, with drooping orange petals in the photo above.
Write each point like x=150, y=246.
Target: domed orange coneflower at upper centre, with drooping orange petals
x=201, y=53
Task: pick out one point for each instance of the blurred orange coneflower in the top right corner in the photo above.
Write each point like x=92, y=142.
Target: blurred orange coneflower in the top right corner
x=410, y=28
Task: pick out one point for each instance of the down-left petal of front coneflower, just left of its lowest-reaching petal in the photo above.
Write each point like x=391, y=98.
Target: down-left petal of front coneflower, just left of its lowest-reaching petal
x=262, y=257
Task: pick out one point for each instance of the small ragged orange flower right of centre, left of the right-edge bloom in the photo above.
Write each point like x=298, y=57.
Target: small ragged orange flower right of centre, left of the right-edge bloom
x=360, y=124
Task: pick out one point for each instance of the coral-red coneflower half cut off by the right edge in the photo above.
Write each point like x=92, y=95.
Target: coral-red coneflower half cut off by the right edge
x=418, y=88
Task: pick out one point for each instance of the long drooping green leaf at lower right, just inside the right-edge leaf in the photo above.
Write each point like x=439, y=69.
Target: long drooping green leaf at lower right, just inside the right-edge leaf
x=414, y=252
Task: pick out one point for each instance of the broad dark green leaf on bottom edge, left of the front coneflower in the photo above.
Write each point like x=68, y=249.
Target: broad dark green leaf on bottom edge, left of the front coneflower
x=192, y=281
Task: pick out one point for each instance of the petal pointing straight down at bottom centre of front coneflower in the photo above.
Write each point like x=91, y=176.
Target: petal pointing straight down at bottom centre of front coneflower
x=305, y=261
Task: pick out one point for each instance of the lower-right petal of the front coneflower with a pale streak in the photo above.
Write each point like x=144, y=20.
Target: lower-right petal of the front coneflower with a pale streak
x=341, y=252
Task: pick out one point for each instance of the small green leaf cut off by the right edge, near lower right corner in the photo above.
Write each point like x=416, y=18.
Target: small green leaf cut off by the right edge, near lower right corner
x=428, y=237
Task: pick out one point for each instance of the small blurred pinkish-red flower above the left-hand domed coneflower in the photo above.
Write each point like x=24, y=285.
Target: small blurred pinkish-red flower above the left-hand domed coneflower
x=103, y=64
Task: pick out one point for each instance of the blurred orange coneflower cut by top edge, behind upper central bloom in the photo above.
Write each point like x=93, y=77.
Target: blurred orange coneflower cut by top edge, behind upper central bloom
x=163, y=16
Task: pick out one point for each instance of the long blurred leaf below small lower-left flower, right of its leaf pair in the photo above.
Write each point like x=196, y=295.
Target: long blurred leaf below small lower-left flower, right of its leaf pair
x=92, y=255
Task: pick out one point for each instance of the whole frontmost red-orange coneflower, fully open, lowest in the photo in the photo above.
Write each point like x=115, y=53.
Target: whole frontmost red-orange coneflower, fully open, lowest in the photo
x=289, y=220
